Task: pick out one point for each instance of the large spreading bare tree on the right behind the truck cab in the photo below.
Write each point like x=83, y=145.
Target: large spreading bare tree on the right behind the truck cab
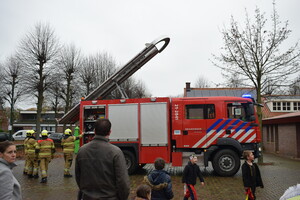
x=254, y=53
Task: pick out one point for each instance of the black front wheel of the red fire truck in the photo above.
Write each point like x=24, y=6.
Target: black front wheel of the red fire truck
x=226, y=162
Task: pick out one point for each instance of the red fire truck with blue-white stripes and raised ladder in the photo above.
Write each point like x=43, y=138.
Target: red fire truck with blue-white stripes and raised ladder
x=219, y=128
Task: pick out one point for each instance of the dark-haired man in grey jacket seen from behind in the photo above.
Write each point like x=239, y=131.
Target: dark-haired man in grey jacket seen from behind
x=100, y=167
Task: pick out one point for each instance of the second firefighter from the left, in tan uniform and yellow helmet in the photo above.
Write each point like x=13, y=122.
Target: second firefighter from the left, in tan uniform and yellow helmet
x=32, y=157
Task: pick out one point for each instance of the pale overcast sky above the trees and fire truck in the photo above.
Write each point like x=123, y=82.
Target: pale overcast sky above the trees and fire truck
x=122, y=27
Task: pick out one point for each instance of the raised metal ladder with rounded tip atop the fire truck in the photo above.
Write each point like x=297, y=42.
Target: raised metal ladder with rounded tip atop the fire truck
x=119, y=77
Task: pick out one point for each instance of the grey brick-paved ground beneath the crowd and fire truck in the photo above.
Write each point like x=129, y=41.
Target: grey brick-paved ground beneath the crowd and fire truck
x=277, y=178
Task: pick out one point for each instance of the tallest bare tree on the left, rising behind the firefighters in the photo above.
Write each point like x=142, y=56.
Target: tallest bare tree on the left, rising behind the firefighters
x=38, y=51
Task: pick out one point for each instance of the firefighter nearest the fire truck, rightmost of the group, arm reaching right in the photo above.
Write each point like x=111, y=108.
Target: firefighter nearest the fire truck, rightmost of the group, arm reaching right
x=68, y=146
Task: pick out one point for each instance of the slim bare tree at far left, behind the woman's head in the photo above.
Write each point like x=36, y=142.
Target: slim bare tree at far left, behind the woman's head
x=12, y=89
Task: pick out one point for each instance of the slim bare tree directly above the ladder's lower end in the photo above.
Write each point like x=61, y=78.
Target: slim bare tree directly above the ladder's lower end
x=69, y=62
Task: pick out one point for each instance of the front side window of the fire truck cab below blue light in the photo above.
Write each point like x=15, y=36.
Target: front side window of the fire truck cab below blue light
x=242, y=111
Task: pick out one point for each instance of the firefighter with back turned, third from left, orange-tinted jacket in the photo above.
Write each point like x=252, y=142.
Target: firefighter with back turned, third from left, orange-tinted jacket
x=45, y=149
